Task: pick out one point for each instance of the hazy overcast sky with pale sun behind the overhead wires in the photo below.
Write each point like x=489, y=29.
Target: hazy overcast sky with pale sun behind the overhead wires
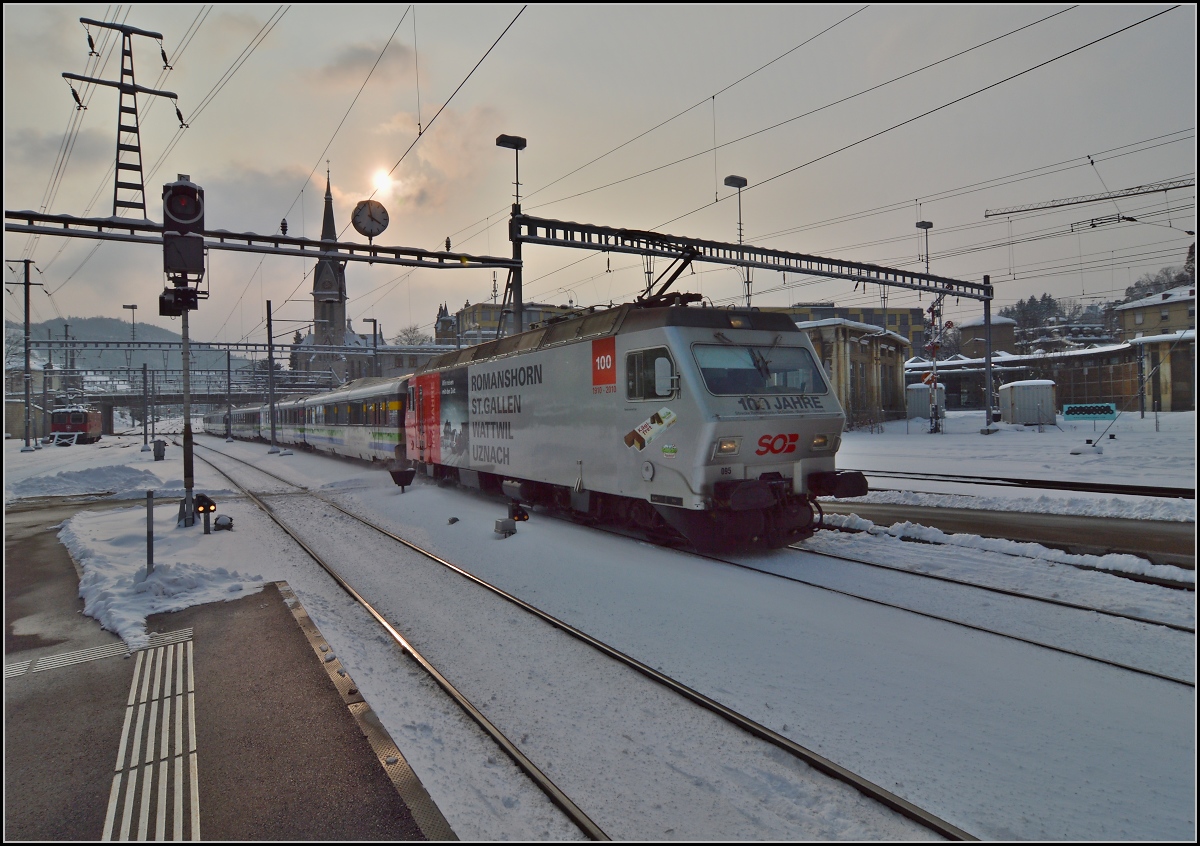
x=621, y=107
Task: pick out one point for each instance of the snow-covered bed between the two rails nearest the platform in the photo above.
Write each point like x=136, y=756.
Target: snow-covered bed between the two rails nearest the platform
x=596, y=691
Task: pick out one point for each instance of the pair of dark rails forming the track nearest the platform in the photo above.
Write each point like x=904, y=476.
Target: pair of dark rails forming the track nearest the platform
x=735, y=722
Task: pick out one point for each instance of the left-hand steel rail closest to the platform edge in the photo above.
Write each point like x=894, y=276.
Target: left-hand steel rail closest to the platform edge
x=549, y=788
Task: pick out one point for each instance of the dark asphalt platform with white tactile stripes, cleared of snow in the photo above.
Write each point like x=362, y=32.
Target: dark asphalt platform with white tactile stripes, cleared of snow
x=237, y=723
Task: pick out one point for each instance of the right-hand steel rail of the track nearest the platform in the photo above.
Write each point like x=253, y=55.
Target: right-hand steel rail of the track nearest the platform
x=758, y=730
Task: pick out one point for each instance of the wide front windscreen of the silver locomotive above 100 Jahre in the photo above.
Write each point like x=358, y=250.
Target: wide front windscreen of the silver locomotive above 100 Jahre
x=753, y=369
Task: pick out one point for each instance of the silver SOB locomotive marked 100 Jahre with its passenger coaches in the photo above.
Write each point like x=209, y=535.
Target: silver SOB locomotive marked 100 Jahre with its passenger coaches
x=717, y=425
